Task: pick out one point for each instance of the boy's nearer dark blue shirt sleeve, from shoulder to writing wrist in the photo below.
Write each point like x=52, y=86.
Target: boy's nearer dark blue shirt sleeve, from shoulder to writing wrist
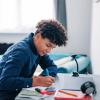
x=10, y=76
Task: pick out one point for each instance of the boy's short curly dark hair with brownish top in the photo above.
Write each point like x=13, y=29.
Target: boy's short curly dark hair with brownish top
x=52, y=30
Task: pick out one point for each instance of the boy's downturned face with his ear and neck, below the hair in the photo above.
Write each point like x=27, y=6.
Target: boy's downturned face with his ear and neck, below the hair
x=43, y=45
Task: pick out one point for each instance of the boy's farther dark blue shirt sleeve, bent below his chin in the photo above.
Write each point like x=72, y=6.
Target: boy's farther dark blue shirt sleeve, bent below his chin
x=46, y=62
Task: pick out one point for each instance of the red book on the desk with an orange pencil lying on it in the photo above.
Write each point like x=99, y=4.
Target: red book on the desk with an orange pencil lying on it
x=71, y=95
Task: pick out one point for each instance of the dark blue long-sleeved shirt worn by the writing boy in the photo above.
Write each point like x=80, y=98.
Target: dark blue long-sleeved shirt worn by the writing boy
x=18, y=65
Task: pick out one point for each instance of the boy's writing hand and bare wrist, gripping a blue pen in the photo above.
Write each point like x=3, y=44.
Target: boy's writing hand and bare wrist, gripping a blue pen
x=42, y=80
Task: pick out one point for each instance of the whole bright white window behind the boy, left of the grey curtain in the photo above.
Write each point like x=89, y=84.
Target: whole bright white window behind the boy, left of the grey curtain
x=22, y=15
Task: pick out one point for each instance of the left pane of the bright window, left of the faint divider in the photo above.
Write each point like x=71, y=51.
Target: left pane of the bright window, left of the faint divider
x=8, y=15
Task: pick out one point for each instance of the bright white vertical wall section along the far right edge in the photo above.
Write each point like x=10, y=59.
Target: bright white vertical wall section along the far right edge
x=95, y=41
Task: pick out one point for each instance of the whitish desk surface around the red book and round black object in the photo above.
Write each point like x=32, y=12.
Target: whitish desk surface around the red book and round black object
x=67, y=81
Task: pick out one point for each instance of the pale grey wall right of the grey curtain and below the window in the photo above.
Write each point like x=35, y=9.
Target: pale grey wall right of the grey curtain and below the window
x=79, y=24
